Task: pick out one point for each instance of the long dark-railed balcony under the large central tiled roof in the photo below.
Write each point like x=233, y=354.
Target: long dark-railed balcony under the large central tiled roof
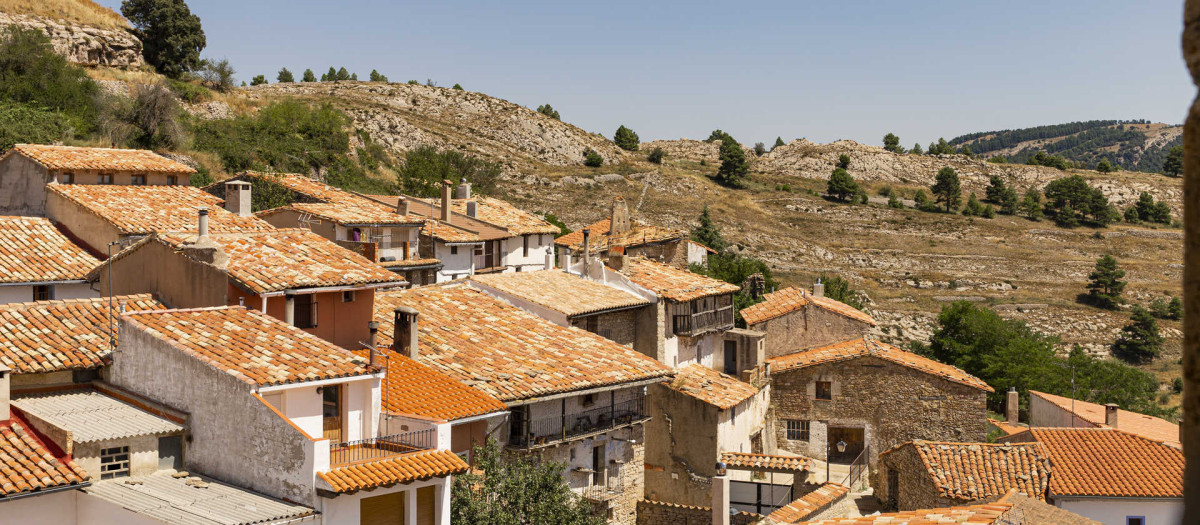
x=565, y=427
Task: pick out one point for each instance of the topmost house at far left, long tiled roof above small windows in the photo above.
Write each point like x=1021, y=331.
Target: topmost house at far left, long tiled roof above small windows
x=27, y=170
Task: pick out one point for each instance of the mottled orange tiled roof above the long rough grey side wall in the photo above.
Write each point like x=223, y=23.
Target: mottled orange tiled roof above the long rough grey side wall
x=250, y=346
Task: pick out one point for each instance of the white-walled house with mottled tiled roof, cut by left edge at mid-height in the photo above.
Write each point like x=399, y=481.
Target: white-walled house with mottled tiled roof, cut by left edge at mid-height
x=40, y=263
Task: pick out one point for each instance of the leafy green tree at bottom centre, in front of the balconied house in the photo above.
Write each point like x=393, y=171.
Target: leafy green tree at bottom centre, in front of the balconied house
x=511, y=488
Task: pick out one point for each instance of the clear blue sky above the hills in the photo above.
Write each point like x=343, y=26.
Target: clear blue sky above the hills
x=824, y=70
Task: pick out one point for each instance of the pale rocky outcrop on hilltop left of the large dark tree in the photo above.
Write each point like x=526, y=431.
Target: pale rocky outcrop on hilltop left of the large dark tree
x=85, y=45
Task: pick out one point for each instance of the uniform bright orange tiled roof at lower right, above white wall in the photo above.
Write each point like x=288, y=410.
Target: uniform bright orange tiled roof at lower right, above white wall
x=1103, y=462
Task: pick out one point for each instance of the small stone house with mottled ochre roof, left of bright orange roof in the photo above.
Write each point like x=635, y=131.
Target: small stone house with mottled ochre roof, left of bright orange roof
x=933, y=474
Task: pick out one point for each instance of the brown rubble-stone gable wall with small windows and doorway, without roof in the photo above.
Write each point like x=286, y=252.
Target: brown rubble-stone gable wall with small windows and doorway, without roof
x=887, y=403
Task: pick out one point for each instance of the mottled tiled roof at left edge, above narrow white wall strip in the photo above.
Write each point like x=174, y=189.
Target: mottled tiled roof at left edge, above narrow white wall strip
x=33, y=251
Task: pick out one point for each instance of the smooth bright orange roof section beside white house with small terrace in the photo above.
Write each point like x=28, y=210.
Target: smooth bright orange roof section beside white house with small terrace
x=418, y=390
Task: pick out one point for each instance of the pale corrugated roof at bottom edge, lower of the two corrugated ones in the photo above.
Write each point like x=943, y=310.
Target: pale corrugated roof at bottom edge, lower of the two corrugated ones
x=175, y=500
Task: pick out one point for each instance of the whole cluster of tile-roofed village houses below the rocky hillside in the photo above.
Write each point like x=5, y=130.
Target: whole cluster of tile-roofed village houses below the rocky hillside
x=173, y=354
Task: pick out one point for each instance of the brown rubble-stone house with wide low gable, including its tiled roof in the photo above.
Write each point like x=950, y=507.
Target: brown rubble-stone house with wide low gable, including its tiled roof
x=871, y=396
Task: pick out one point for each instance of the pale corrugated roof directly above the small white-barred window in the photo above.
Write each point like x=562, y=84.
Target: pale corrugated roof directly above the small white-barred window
x=93, y=417
